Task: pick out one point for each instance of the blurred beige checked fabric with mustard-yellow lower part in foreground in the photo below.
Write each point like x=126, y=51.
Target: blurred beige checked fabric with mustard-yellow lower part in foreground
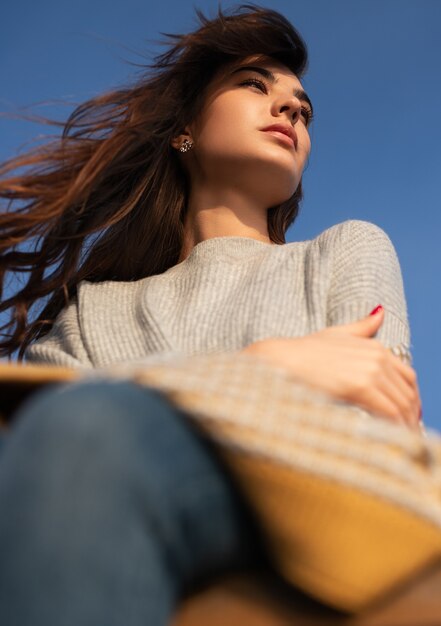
x=349, y=502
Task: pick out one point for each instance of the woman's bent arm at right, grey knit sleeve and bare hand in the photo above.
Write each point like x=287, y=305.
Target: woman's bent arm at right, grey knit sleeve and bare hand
x=351, y=359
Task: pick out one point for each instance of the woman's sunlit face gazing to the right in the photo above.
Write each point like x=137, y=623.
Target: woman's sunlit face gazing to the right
x=231, y=145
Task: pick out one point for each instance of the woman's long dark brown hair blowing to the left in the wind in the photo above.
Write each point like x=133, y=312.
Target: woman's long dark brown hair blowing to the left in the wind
x=106, y=200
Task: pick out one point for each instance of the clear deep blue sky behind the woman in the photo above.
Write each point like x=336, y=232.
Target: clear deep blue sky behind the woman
x=373, y=77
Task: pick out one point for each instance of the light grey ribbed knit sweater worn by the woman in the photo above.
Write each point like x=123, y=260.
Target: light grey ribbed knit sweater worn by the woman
x=230, y=292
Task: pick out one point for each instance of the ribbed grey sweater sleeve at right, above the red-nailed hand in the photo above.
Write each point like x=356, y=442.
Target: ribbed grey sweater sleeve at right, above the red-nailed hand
x=366, y=272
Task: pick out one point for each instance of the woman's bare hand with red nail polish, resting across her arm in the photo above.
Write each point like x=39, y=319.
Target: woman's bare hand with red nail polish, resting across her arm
x=348, y=364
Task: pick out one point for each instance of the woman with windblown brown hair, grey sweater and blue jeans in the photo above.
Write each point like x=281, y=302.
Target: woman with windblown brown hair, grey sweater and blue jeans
x=160, y=217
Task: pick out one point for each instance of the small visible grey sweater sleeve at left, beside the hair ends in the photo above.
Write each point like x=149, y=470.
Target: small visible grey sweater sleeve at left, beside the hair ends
x=63, y=345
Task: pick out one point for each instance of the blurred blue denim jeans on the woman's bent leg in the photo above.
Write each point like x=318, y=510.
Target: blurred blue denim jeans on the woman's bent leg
x=112, y=508
